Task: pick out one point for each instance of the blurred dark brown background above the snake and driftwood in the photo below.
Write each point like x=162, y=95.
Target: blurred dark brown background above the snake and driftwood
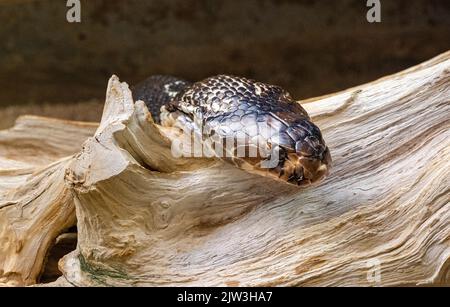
x=310, y=47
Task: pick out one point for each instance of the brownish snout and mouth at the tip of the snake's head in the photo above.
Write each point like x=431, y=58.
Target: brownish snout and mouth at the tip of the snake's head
x=304, y=170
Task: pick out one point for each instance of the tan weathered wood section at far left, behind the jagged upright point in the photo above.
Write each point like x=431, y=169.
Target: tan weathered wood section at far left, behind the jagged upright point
x=35, y=204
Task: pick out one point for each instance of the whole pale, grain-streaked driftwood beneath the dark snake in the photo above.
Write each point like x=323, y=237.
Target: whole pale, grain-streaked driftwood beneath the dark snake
x=146, y=218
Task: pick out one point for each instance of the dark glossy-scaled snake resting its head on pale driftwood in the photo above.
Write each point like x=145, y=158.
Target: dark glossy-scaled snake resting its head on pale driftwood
x=262, y=122
